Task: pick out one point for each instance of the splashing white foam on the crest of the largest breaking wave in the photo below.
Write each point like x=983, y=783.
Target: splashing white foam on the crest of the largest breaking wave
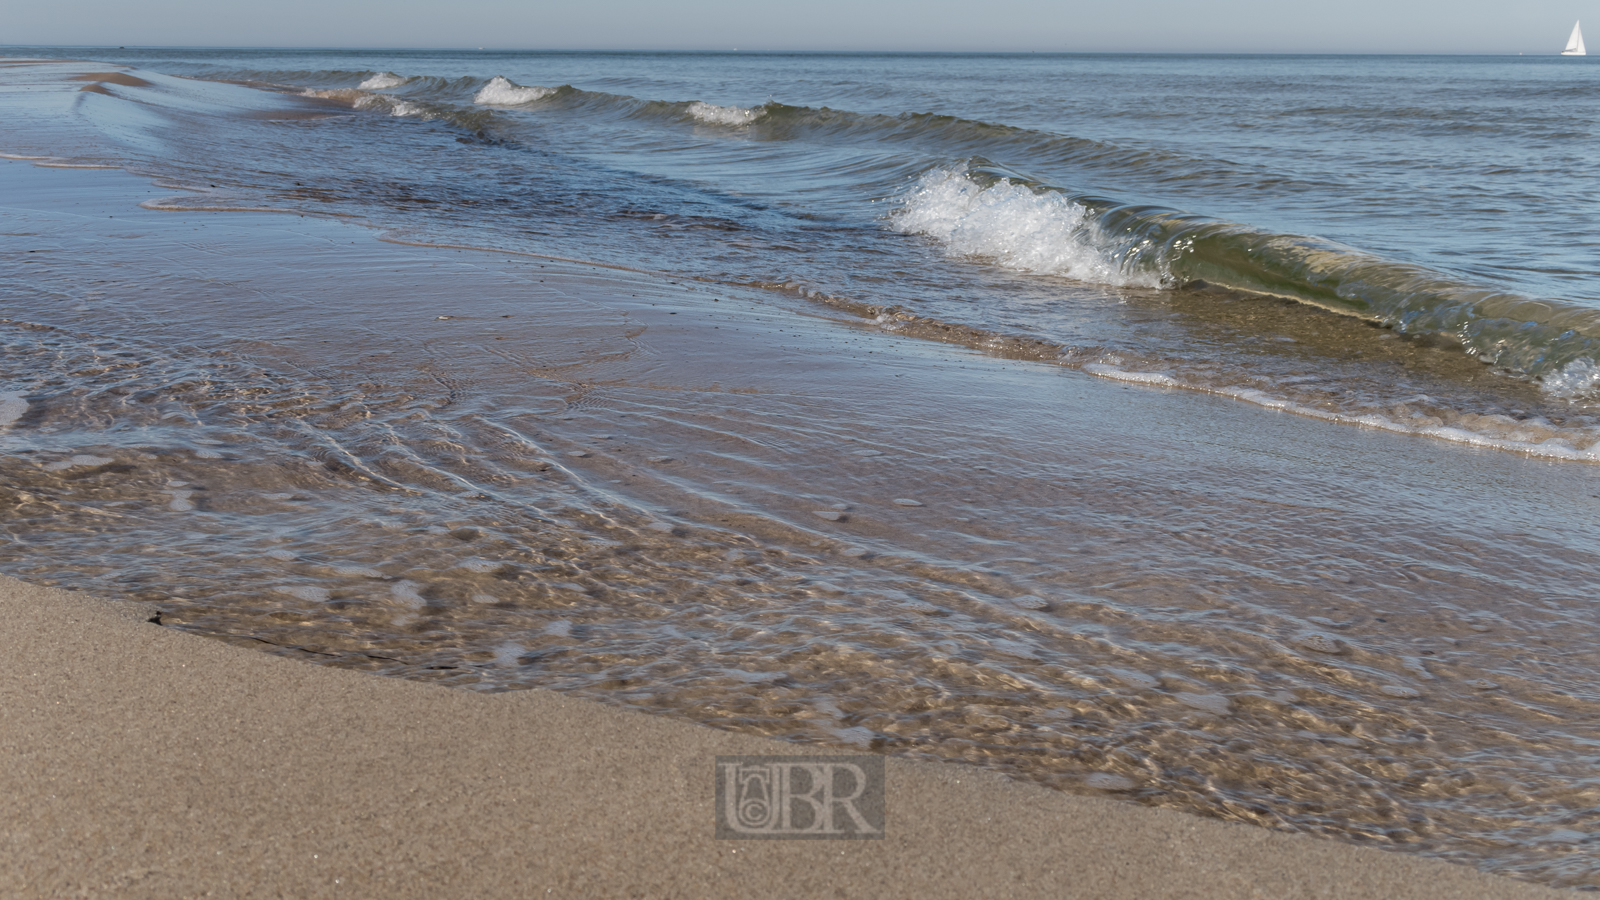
x=1012, y=227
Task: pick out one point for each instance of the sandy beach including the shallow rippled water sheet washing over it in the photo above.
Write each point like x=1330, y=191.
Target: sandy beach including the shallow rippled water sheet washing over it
x=294, y=443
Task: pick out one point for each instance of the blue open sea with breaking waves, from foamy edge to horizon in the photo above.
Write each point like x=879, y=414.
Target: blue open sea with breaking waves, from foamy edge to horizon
x=1127, y=212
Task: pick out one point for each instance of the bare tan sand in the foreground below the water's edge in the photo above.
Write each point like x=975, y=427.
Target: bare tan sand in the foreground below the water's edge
x=150, y=763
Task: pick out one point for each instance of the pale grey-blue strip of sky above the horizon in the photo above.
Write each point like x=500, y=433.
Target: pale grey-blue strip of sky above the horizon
x=1161, y=26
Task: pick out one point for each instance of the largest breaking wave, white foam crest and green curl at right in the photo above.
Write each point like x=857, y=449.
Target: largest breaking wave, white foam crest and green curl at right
x=1004, y=219
